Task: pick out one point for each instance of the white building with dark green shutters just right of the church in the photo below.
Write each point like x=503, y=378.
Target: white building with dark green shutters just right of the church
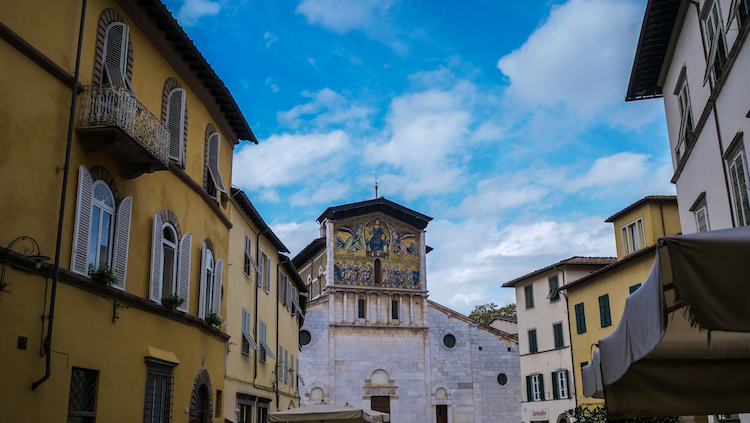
x=544, y=338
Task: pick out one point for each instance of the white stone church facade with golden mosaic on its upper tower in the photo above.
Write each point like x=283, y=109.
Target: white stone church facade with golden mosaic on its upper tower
x=373, y=339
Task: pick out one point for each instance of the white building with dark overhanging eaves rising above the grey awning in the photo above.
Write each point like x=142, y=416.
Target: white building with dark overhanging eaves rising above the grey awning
x=691, y=54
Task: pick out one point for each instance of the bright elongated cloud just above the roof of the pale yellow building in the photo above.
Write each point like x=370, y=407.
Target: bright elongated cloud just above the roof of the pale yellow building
x=288, y=158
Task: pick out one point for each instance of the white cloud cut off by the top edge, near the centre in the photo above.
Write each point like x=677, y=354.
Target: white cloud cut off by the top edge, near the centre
x=343, y=16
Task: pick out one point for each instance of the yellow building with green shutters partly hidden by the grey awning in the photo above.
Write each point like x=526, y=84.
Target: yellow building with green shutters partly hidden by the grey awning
x=596, y=301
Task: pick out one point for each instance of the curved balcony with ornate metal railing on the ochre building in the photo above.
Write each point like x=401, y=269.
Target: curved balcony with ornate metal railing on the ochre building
x=114, y=121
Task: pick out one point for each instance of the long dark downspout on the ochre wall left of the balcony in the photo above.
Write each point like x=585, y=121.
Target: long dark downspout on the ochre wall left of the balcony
x=66, y=168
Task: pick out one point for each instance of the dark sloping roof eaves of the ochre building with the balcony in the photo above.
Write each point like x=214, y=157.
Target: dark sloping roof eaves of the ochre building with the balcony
x=173, y=32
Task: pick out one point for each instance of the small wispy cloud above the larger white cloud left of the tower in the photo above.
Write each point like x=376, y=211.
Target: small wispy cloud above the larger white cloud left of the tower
x=326, y=108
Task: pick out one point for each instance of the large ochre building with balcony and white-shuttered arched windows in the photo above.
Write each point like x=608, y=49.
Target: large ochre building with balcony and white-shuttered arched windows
x=131, y=183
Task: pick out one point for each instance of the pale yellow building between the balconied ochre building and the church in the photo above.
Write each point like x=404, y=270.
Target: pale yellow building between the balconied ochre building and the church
x=265, y=309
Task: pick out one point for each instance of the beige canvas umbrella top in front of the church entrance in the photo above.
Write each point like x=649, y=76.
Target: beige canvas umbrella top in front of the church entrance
x=328, y=413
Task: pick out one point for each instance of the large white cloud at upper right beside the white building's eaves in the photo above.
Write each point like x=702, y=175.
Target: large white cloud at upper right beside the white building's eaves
x=580, y=57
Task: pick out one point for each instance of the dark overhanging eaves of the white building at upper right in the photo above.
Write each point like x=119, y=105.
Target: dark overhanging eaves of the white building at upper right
x=653, y=43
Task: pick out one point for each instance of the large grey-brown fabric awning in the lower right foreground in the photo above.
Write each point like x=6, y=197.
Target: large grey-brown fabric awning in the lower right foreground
x=683, y=344
